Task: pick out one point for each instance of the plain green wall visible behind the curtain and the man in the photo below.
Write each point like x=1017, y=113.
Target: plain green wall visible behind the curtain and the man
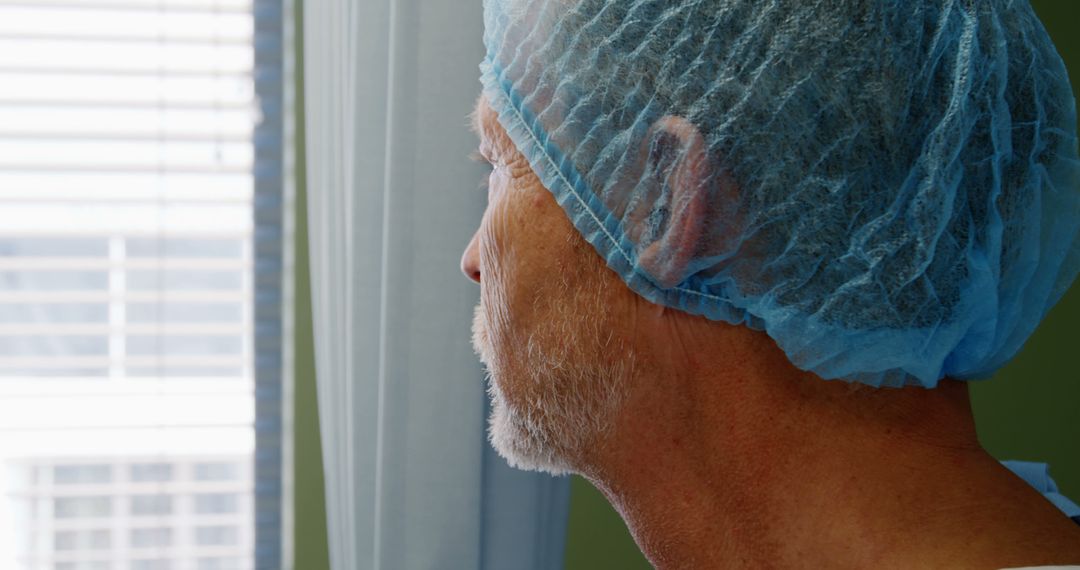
x=1031, y=410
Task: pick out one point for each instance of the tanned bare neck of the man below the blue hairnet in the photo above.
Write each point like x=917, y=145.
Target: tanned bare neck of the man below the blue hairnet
x=744, y=476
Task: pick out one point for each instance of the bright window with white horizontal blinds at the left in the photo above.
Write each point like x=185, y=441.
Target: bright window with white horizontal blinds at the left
x=140, y=283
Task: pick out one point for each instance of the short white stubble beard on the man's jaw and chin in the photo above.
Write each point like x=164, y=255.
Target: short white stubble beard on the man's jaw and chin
x=574, y=397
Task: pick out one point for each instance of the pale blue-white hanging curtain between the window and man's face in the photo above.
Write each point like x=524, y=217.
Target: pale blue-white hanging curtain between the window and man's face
x=411, y=481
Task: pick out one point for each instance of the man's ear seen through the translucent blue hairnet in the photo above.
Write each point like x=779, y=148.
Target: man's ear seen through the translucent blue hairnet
x=667, y=221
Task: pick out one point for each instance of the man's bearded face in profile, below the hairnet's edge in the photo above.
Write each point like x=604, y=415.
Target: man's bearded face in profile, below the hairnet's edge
x=558, y=361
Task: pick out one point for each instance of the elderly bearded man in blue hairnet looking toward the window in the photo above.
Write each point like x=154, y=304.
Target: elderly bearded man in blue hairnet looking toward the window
x=699, y=212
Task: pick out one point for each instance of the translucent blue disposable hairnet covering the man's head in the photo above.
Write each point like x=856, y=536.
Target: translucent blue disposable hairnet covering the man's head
x=889, y=188
